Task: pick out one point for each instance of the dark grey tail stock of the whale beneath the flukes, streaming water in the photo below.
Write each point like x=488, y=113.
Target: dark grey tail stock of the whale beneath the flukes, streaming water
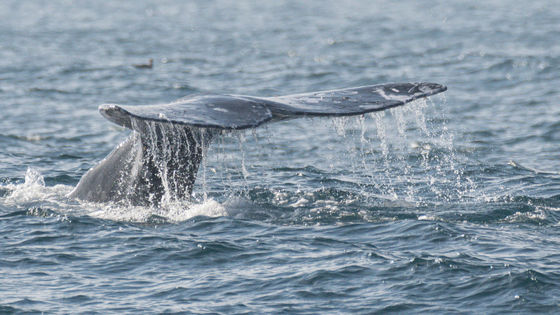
x=142, y=168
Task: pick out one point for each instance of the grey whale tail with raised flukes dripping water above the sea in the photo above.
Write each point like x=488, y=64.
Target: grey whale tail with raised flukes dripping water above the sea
x=160, y=158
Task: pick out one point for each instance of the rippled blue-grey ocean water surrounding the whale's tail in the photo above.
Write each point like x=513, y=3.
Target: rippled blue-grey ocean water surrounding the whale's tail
x=445, y=205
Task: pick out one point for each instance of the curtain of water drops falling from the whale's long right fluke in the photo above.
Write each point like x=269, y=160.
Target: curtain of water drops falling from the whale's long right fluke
x=396, y=155
